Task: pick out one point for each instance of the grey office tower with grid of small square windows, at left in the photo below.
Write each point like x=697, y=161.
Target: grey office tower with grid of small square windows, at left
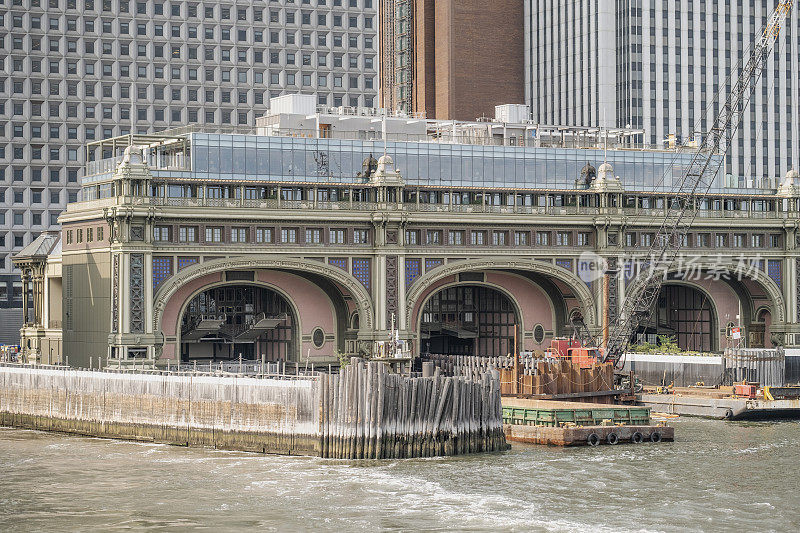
x=75, y=71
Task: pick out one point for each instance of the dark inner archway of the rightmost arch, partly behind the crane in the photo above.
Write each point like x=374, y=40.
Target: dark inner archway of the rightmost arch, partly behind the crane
x=685, y=313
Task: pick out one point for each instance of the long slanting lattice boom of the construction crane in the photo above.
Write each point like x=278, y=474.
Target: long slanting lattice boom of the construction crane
x=695, y=183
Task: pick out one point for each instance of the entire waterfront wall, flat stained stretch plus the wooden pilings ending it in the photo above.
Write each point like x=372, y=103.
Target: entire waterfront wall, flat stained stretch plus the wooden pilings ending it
x=365, y=413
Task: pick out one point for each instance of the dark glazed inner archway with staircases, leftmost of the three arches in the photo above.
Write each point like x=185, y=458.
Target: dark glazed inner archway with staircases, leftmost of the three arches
x=232, y=321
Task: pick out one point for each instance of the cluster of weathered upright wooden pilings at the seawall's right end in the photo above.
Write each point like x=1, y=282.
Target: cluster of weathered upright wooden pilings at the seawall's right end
x=369, y=413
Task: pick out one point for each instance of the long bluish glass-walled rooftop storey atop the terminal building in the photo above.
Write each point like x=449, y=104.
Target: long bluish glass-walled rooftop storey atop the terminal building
x=261, y=158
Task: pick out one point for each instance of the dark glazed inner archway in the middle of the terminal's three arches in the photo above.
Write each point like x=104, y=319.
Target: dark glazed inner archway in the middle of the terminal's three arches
x=468, y=320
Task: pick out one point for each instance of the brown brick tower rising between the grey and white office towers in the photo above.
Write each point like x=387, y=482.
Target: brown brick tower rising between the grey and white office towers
x=451, y=60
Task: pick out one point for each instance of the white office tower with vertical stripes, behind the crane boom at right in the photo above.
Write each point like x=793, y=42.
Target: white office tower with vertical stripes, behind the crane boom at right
x=657, y=66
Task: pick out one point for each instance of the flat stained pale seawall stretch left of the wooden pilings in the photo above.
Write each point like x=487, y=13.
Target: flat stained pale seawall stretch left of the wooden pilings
x=260, y=415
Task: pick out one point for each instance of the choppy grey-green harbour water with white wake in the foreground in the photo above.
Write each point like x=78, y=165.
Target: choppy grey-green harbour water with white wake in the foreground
x=718, y=476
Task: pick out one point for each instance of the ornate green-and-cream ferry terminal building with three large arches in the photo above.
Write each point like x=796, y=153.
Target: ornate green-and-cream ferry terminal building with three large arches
x=301, y=241
